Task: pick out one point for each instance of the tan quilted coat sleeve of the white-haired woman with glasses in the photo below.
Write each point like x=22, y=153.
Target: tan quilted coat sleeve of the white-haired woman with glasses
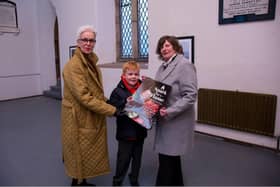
x=75, y=78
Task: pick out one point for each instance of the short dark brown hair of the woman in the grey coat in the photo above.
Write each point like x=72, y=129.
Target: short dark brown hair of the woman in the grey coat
x=171, y=39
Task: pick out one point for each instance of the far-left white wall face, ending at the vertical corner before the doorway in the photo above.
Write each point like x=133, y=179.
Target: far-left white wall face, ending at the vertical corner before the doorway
x=20, y=74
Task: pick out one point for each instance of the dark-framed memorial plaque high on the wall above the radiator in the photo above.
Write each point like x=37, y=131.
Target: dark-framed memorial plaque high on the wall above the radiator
x=238, y=11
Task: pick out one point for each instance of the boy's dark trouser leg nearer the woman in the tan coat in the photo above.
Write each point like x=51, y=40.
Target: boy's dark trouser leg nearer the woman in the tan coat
x=123, y=160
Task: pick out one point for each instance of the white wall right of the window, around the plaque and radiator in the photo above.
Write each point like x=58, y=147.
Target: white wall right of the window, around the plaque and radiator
x=233, y=57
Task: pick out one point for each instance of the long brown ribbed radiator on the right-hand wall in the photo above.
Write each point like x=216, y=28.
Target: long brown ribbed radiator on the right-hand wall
x=249, y=112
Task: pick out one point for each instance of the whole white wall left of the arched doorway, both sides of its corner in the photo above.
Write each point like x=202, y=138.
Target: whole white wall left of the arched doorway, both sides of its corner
x=27, y=59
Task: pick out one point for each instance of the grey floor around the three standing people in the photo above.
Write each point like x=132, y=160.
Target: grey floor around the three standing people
x=30, y=153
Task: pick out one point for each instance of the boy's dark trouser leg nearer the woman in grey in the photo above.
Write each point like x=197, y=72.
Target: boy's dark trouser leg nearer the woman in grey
x=136, y=162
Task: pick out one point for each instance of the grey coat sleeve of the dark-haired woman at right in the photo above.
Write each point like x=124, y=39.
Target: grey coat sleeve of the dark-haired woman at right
x=187, y=95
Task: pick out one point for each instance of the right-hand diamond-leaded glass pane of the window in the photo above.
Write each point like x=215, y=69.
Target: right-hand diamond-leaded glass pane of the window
x=143, y=46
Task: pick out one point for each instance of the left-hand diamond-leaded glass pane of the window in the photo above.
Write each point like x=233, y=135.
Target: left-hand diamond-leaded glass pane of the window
x=126, y=28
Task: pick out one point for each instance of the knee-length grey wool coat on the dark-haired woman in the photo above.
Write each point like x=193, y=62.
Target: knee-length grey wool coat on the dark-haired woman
x=174, y=132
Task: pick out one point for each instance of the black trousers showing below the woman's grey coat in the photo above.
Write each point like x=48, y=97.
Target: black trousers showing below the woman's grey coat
x=169, y=171
